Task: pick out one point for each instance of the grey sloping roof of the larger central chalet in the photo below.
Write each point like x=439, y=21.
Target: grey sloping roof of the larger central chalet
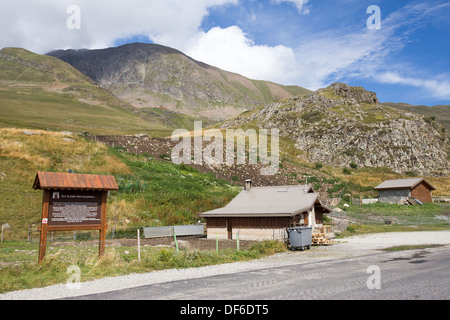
x=269, y=201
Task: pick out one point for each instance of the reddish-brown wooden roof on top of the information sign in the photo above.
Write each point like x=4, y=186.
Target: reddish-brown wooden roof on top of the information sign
x=74, y=181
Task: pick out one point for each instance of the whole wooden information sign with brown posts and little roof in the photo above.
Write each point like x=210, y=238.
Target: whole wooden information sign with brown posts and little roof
x=73, y=202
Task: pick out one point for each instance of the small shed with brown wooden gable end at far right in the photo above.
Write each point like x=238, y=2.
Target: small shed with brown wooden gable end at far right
x=392, y=191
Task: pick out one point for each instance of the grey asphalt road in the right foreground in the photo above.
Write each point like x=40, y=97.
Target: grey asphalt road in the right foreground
x=414, y=274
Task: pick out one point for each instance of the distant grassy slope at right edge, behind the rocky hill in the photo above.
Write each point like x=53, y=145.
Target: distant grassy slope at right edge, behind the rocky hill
x=439, y=113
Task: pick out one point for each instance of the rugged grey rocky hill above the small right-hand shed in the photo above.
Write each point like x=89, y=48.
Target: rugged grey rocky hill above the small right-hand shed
x=342, y=125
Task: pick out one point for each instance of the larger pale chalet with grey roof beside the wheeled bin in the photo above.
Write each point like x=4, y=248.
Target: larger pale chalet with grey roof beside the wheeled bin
x=264, y=213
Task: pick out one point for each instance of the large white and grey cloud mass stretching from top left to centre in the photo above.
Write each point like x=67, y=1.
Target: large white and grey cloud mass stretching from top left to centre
x=40, y=26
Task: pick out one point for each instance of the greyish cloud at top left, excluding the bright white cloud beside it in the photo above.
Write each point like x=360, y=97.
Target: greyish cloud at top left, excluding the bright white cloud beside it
x=40, y=26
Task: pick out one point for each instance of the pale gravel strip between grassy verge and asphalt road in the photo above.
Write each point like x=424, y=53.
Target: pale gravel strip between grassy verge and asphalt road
x=344, y=248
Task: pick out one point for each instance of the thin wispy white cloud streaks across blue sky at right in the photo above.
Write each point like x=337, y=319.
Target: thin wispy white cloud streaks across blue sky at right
x=342, y=54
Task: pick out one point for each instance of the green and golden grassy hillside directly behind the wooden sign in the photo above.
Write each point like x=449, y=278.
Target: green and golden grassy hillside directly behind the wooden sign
x=152, y=192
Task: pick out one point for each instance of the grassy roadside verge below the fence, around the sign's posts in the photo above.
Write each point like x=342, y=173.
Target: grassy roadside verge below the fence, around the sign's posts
x=19, y=269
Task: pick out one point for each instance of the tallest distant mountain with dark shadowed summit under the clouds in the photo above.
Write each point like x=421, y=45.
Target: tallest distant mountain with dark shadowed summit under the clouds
x=150, y=75
